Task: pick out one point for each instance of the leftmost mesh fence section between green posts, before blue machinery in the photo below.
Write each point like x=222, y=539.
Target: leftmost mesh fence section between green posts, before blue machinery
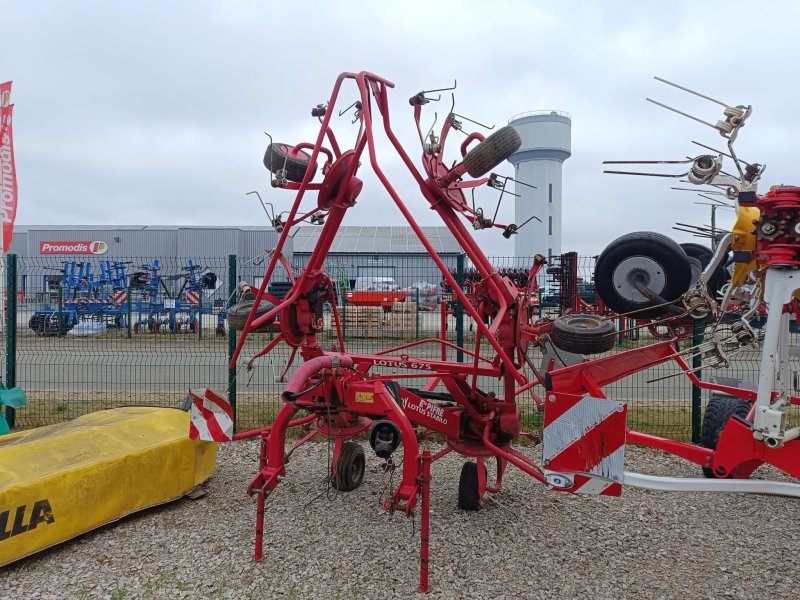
x=93, y=334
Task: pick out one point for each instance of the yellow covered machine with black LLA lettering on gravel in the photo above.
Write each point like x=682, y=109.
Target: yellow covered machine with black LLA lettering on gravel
x=63, y=480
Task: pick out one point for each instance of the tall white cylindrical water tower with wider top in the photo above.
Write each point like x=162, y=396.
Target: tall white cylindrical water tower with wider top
x=546, y=144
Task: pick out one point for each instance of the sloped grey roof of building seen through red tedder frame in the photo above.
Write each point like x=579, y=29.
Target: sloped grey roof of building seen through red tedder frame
x=371, y=239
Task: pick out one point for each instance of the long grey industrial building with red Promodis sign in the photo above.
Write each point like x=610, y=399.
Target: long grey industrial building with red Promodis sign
x=357, y=251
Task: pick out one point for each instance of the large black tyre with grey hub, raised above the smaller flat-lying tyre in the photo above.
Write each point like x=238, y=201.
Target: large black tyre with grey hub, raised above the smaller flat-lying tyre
x=661, y=264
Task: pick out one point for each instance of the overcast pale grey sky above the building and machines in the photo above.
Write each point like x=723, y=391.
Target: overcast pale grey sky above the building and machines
x=154, y=112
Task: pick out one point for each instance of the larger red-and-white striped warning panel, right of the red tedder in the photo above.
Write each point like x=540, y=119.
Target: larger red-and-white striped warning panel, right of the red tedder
x=583, y=444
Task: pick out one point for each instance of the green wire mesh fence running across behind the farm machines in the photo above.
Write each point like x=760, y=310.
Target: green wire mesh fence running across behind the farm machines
x=98, y=334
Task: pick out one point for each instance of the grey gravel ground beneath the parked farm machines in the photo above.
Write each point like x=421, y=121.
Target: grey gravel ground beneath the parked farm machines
x=527, y=543
